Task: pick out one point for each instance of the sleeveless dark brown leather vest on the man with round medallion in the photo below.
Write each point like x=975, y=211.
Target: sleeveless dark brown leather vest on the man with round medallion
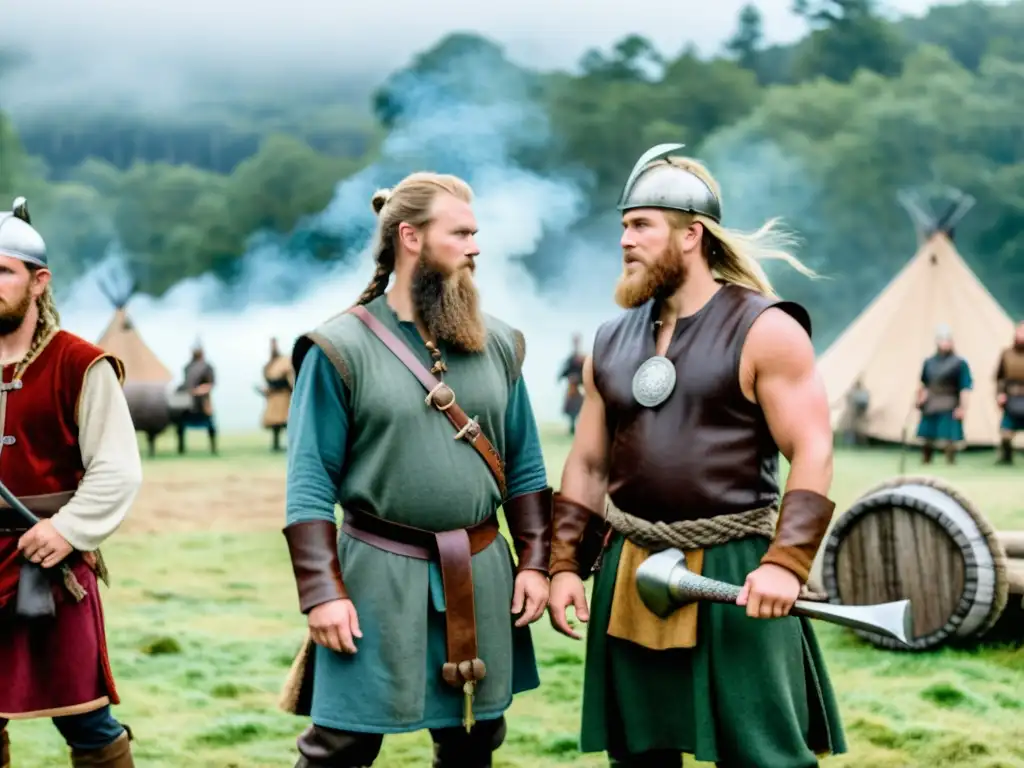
x=706, y=451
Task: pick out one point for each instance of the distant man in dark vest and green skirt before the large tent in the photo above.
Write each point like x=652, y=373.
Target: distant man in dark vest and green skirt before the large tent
x=946, y=379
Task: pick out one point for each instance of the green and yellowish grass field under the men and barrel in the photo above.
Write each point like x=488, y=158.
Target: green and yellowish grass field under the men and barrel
x=203, y=625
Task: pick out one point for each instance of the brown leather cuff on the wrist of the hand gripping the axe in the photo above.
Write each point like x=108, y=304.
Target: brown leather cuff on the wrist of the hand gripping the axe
x=803, y=522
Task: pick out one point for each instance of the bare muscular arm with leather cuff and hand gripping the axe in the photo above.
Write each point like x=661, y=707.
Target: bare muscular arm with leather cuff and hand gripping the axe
x=780, y=373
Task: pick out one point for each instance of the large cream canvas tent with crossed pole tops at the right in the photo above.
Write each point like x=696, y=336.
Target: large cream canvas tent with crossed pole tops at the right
x=886, y=347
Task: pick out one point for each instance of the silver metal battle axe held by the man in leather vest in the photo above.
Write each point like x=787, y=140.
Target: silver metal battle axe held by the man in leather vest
x=666, y=585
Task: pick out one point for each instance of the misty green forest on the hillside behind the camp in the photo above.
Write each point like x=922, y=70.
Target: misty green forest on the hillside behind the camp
x=824, y=134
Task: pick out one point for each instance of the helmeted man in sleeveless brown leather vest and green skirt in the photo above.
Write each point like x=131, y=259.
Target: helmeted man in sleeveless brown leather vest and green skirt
x=692, y=395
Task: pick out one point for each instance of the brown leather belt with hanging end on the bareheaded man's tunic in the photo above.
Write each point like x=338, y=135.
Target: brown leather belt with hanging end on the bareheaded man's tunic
x=453, y=550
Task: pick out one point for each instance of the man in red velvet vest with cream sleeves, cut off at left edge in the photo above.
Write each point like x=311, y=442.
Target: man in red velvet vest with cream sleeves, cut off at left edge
x=70, y=455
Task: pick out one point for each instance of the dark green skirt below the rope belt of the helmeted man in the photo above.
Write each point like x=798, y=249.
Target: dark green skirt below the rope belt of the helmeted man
x=751, y=693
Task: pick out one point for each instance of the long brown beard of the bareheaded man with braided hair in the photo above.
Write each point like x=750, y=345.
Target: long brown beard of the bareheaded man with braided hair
x=448, y=305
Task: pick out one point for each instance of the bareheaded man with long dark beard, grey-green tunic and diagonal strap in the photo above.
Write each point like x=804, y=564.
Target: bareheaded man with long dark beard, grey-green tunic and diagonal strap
x=419, y=618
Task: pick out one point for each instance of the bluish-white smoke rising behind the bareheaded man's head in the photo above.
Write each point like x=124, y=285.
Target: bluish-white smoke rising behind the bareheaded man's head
x=282, y=291
